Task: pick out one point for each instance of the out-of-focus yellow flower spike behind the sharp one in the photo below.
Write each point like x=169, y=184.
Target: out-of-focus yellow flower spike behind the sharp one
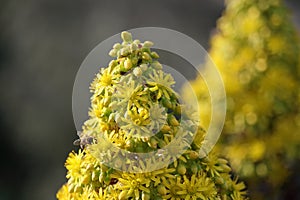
x=257, y=52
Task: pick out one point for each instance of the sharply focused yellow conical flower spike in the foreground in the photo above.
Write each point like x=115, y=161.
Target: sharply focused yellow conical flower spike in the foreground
x=135, y=111
